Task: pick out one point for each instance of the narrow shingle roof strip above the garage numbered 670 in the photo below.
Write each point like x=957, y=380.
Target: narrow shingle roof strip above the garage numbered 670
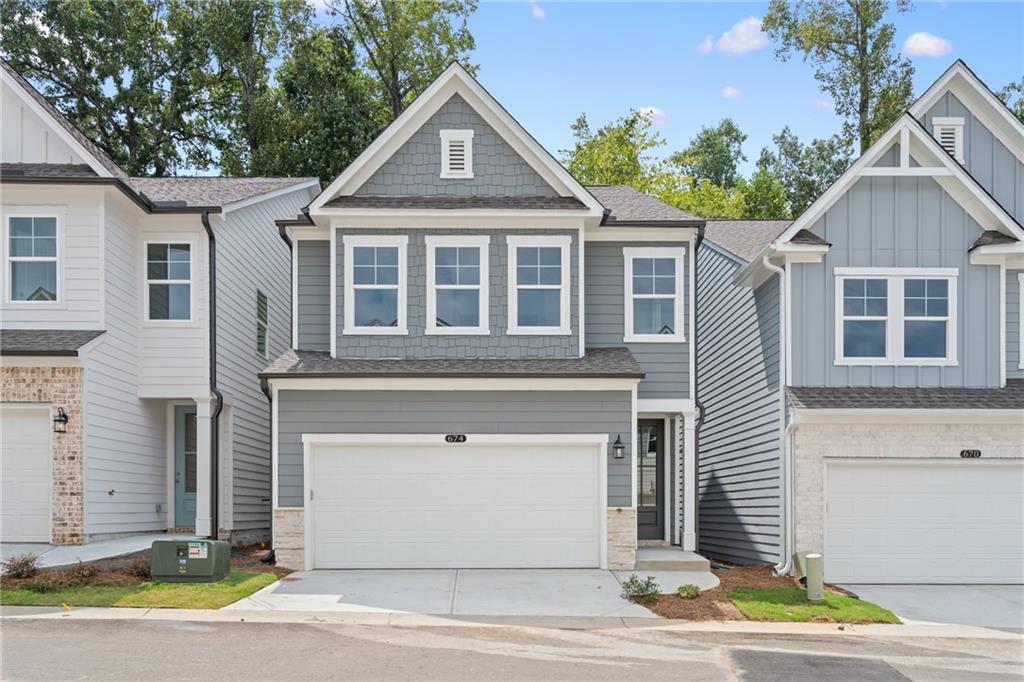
x=1011, y=398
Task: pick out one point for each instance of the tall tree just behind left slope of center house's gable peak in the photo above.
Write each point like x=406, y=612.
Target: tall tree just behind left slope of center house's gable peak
x=408, y=44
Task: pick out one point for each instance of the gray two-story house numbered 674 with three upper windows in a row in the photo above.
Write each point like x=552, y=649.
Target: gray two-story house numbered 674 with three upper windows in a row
x=492, y=365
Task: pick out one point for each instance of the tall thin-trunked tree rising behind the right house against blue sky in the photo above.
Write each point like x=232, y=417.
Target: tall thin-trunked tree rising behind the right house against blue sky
x=856, y=61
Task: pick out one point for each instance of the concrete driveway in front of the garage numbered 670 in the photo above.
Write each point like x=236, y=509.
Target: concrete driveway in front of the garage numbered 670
x=986, y=606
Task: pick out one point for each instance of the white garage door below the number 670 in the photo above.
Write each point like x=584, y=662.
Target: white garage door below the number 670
x=925, y=522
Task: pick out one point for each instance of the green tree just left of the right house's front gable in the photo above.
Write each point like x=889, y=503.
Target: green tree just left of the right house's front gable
x=805, y=172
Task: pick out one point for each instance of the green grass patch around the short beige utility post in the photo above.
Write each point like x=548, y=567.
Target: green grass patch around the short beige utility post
x=791, y=605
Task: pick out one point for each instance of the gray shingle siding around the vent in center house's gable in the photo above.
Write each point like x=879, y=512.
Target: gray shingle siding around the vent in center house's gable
x=415, y=168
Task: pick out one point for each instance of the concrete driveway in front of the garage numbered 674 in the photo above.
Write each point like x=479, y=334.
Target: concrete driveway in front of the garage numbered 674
x=565, y=592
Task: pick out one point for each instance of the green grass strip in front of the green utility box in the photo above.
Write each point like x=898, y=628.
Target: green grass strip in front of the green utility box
x=154, y=595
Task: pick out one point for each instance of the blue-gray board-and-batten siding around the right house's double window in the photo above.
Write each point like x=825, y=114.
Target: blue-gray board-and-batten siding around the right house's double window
x=895, y=223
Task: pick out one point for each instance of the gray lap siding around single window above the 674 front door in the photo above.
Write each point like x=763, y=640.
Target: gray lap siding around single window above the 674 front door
x=667, y=365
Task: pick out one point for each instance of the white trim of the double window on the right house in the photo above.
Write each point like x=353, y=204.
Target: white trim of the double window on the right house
x=895, y=277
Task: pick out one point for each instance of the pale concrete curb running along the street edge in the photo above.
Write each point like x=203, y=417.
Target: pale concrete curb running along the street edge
x=909, y=630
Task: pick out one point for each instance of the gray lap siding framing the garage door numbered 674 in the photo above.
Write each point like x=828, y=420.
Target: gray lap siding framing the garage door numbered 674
x=451, y=412
